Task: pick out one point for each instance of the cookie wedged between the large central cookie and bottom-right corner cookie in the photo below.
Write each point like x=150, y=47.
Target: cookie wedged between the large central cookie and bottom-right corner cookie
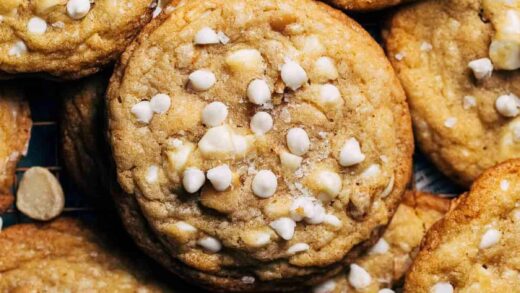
x=385, y=264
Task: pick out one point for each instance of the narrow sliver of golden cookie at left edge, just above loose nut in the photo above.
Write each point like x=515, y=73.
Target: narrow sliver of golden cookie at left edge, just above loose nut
x=15, y=131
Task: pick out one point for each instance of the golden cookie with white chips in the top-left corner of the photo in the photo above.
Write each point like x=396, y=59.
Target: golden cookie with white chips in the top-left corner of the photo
x=67, y=39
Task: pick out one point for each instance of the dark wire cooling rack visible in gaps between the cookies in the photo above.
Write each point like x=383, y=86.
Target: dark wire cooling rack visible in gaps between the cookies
x=44, y=145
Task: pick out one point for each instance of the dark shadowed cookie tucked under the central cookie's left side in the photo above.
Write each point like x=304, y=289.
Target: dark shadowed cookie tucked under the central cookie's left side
x=85, y=149
